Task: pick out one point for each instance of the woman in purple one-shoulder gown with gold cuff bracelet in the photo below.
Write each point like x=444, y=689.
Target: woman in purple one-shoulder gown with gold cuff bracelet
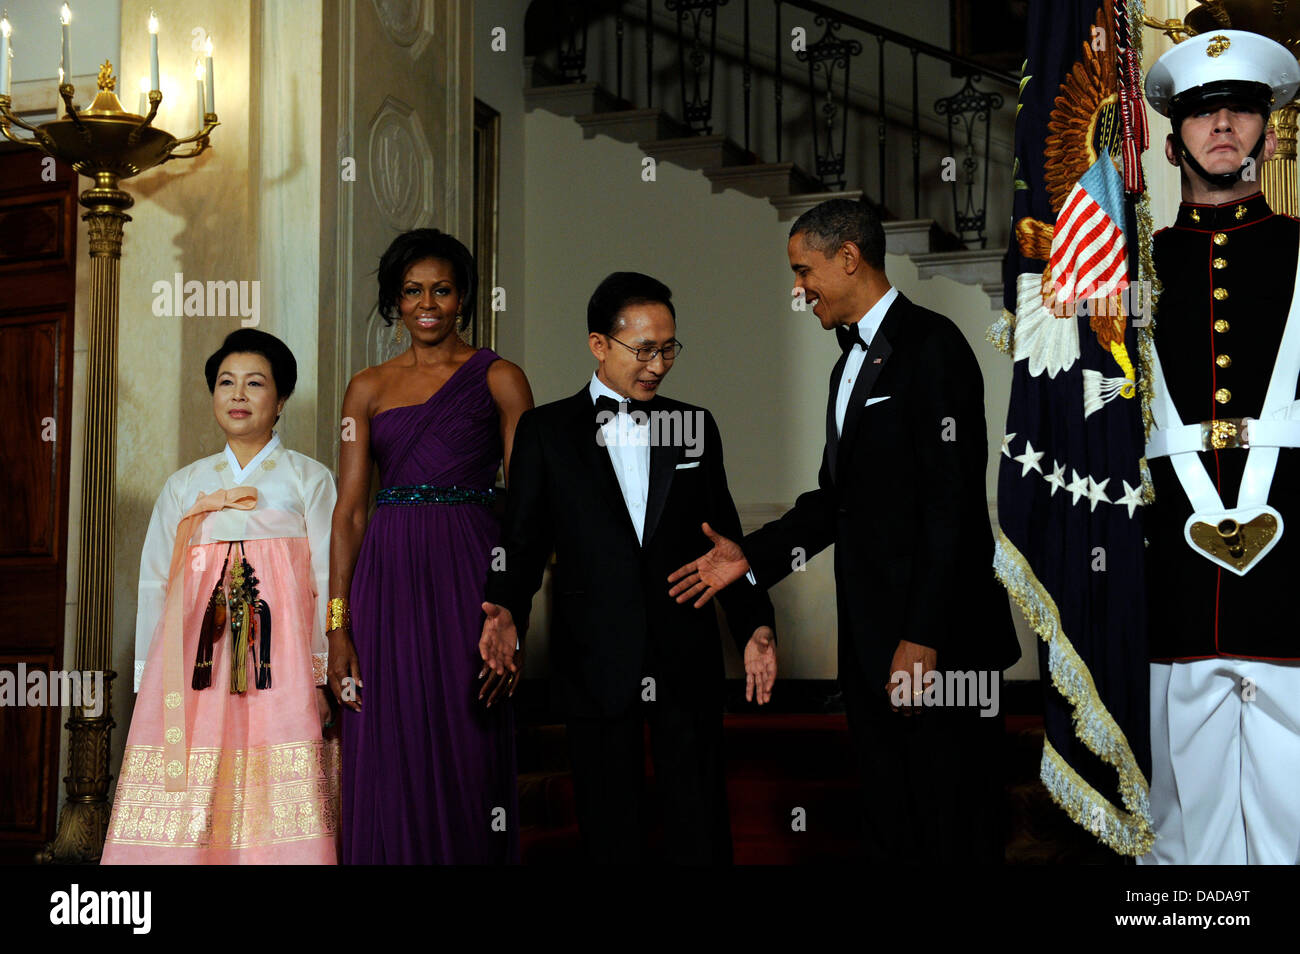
x=428, y=769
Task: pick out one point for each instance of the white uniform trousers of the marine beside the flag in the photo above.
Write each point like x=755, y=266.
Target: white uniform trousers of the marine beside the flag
x=1225, y=747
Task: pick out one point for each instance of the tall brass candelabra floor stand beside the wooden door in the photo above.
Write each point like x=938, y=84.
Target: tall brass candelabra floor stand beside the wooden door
x=107, y=145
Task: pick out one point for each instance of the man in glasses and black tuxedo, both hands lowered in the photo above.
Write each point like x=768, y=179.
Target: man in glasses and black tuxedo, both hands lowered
x=618, y=480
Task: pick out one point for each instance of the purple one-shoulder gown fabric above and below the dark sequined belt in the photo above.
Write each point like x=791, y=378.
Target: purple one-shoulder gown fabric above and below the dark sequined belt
x=428, y=773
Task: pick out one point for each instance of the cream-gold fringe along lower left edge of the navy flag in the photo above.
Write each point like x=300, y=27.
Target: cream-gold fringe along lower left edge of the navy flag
x=1125, y=832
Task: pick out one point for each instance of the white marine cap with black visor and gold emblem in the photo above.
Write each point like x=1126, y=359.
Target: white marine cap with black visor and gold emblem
x=1230, y=64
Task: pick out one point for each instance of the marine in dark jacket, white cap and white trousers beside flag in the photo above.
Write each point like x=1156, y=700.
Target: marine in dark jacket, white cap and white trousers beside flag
x=1225, y=635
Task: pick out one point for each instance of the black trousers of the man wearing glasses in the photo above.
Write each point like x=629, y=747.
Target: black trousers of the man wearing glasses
x=610, y=788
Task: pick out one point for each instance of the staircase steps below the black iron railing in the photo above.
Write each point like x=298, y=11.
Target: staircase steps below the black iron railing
x=727, y=166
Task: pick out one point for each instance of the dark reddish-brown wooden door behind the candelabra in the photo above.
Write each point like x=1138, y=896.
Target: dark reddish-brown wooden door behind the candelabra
x=38, y=266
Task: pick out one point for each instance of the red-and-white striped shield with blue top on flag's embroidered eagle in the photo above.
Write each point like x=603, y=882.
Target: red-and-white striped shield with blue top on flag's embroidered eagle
x=1090, y=258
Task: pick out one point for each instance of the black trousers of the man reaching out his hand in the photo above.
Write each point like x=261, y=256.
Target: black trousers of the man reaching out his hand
x=933, y=782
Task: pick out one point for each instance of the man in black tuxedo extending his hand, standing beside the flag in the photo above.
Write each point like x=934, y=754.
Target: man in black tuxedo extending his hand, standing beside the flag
x=902, y=495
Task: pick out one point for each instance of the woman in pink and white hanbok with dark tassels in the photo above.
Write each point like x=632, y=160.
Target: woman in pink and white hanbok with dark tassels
x=227, y=761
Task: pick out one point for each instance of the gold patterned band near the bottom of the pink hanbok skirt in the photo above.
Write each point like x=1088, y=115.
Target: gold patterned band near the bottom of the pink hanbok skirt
x=237, y=797
